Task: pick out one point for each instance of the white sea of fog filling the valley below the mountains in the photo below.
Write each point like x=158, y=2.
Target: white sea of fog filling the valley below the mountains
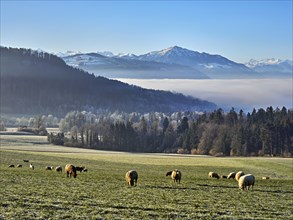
x=243, y=94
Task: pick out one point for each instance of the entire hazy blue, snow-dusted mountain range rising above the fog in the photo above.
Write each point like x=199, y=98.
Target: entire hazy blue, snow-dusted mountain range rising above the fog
x=175, y=63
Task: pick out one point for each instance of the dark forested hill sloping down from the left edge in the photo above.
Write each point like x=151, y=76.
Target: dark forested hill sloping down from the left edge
x=34, y=82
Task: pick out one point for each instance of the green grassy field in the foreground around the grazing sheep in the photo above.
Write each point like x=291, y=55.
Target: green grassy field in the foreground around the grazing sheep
x=102, y=192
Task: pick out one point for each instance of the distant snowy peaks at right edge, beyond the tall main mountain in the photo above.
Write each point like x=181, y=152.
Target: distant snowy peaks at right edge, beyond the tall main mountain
x=274, y=68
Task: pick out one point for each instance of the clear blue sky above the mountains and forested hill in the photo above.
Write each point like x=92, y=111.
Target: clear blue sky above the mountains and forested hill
x=238, y=30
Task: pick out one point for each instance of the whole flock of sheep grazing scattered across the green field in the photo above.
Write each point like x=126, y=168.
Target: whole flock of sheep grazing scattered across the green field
x=131, y=177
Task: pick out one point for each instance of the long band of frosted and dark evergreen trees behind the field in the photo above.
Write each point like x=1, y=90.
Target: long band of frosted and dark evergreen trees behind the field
x=259, y=133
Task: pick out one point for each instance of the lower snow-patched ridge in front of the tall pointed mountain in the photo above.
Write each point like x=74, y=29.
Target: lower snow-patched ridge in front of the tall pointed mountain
x=128, y=66
